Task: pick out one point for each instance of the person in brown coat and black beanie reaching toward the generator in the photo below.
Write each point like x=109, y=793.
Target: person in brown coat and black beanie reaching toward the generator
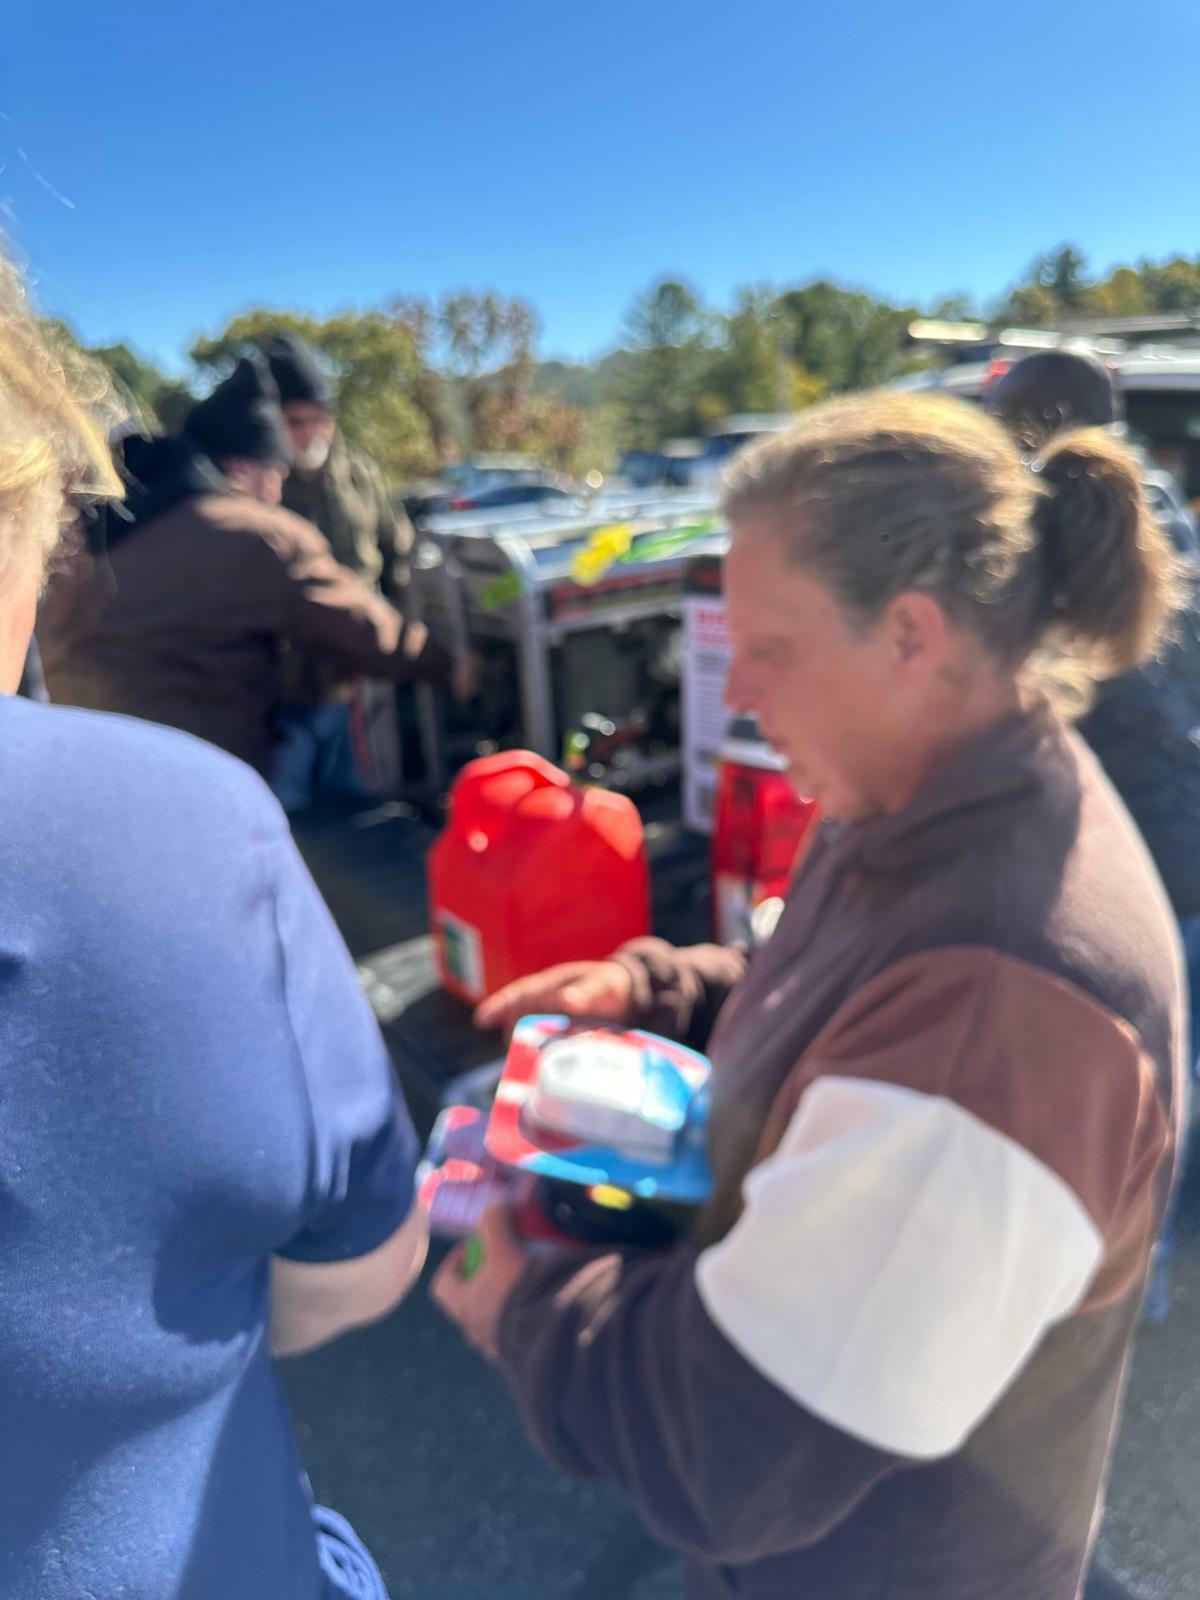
x=183, y=607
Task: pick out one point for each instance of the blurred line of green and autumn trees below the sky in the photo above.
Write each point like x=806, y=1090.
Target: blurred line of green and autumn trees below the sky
x=425, y=383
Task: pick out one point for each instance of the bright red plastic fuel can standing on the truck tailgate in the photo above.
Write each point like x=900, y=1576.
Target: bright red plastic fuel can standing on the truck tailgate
x=532, y=871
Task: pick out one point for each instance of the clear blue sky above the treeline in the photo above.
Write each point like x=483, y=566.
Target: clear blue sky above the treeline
x=190, y=158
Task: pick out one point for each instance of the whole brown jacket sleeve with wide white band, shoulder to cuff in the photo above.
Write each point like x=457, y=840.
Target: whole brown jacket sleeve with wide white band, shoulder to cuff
x=967, y=1154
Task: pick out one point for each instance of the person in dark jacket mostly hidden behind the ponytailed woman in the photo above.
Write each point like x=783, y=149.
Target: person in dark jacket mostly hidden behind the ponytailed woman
x=1145, y=726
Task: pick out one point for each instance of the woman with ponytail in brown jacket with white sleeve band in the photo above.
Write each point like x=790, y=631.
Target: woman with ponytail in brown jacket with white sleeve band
x=889, y=1364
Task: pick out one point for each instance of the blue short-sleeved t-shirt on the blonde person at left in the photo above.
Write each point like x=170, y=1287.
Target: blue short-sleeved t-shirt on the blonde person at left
x=190, y=1082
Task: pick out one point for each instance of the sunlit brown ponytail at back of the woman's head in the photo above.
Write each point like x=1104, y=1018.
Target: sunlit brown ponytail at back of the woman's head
x=1111, y=574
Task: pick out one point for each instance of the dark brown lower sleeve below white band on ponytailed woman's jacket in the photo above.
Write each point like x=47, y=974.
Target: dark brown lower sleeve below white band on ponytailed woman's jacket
x=620, y=1374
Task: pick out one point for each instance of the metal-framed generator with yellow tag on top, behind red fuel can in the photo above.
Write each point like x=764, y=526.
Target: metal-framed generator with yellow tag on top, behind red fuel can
x=578, y=625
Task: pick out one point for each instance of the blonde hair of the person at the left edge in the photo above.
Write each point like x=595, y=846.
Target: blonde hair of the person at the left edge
x=57, y=410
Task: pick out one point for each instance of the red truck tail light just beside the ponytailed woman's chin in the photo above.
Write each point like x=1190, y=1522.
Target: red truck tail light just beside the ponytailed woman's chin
x=761, y=826
